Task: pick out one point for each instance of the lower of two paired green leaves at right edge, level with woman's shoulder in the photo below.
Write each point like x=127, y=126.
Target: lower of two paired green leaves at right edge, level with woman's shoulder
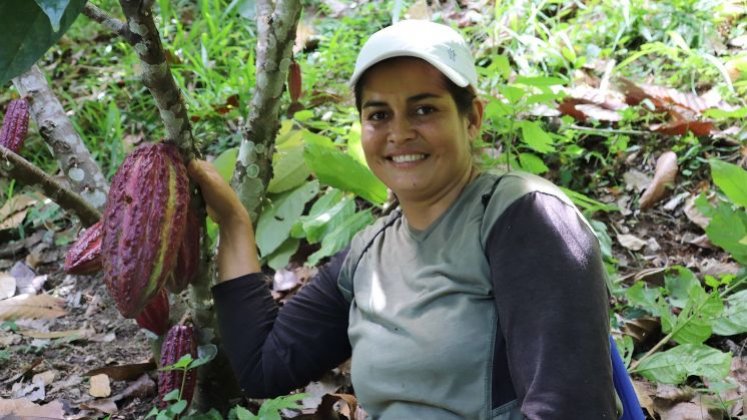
x=727, y=228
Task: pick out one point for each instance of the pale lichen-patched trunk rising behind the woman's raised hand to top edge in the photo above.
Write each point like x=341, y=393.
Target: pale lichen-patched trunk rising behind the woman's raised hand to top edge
x=276, y=32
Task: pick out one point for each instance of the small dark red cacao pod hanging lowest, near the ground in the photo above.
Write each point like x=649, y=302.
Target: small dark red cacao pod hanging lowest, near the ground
x=179, y=341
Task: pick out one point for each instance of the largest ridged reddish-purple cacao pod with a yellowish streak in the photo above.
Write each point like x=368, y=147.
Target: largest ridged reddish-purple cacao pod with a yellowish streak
x=145, y=220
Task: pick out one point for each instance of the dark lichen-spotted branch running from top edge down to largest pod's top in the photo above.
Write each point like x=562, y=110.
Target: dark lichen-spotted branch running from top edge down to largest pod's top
x=157, y=76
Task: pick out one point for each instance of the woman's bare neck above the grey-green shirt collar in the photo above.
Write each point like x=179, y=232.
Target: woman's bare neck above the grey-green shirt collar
x=420, y=213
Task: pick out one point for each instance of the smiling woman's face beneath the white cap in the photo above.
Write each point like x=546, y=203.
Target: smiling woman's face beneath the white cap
x=413, y=136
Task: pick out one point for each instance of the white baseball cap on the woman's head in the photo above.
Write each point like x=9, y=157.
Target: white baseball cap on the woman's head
x=442, y=47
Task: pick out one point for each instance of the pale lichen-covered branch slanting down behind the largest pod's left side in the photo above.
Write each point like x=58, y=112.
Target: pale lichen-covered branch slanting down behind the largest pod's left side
x=71, y=153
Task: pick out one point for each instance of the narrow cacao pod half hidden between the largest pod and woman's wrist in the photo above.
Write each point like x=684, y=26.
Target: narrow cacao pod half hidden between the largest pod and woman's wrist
x=188, y=260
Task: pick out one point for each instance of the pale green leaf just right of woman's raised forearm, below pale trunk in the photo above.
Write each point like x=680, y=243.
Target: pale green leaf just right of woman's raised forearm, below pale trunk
x=276, y=221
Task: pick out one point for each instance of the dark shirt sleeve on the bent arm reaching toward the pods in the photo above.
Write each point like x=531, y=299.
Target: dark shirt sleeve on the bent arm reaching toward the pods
x=275, y=351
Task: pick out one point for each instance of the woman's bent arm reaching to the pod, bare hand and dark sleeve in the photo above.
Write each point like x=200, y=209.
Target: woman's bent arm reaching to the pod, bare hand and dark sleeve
x=272, y=352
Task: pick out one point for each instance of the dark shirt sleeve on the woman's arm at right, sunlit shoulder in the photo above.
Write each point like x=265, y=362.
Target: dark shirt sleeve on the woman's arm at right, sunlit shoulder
x=551, y=300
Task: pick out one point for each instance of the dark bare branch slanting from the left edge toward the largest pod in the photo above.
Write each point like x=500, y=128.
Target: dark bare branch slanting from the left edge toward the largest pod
x=18, y=168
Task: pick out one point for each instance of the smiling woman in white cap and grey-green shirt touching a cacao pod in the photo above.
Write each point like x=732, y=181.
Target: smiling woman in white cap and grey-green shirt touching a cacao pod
x=482, y=297
